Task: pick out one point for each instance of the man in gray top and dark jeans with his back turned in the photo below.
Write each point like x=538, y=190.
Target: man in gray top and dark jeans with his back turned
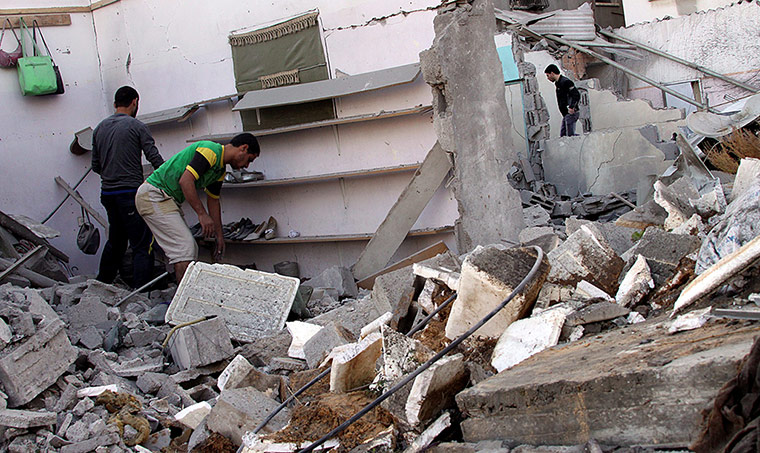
x=118, y=143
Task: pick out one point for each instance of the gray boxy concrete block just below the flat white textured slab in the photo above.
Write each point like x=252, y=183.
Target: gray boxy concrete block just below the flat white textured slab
x=201, y=344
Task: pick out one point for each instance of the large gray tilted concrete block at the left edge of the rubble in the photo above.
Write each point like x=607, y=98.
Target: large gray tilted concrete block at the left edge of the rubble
x=32, y=365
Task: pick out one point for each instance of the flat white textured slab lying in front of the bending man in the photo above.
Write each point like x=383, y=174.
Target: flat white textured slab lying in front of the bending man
x=251, y=303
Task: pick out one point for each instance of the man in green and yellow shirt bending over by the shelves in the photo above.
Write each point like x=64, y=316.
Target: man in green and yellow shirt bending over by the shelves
x=201, y=165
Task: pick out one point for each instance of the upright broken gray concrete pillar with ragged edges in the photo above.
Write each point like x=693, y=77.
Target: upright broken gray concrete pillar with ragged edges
x=472, y=122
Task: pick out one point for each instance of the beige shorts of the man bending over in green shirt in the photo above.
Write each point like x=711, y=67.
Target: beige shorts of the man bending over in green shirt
x=167, y=222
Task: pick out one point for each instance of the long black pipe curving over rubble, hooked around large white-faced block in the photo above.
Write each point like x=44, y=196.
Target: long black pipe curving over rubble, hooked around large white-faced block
x=434, y=359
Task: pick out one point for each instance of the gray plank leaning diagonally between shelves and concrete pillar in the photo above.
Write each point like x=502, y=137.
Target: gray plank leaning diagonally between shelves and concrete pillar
x=392, y=231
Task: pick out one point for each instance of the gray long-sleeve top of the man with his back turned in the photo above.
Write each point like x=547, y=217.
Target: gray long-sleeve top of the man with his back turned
x=117, y=144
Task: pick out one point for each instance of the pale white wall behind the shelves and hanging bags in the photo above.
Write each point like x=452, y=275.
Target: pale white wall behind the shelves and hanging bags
x=175, y=53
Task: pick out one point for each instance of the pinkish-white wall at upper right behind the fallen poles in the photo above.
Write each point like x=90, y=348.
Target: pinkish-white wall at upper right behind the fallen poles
x=725, y=40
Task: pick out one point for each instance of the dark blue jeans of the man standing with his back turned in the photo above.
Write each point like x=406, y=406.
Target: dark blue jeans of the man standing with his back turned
x=125, y=226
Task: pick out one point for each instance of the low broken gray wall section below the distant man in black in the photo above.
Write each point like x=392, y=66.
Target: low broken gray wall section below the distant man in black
x=601, y=162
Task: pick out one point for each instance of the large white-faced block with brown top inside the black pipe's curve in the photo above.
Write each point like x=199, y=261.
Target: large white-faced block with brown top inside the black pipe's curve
x=489, y=275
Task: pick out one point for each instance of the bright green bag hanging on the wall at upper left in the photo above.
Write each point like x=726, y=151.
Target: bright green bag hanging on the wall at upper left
x=36, y=75
